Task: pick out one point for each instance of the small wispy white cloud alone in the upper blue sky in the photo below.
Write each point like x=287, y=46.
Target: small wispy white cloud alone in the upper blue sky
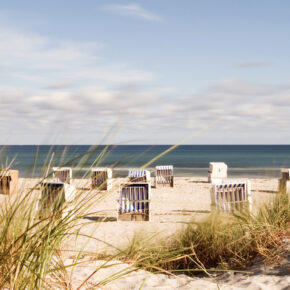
x=134, y=10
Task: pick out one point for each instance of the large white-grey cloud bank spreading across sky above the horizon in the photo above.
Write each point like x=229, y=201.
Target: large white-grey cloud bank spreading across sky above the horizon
x=46, y=84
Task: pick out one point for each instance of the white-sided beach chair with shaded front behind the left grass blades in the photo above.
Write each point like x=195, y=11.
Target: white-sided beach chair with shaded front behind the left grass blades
x=56, y=197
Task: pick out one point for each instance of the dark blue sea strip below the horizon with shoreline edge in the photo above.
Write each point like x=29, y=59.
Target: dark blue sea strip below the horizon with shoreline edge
x=188, y=160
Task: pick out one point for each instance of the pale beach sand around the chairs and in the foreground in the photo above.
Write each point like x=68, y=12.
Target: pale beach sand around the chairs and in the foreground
x=170, y=208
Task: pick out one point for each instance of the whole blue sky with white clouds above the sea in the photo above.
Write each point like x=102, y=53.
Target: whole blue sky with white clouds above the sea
x=145, y=72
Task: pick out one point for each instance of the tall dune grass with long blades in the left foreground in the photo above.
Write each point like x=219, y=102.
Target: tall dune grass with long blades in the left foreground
x=31, y=244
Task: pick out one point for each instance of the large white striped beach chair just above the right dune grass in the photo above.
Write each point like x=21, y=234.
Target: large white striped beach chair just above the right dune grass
x=231, y=196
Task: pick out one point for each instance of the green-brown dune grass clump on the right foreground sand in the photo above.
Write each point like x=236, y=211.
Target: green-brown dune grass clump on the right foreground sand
x=219, y=242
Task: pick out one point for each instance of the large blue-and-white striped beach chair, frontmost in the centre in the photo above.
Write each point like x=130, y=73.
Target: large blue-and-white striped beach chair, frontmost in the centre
x=134, y=202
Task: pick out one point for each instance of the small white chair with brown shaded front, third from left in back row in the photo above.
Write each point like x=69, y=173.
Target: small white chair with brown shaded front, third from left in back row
x=101, y=178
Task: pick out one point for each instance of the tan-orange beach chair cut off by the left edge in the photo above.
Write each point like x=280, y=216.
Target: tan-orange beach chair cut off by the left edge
x=8, y=181
